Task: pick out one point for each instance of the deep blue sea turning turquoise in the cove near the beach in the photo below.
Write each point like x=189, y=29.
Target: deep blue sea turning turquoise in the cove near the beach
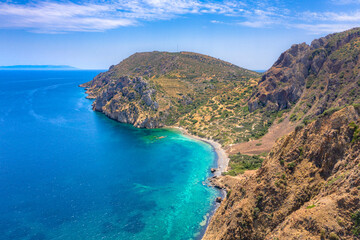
x=67, y=172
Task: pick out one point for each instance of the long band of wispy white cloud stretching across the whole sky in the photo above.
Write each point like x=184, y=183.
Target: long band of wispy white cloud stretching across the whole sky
x=101, y=15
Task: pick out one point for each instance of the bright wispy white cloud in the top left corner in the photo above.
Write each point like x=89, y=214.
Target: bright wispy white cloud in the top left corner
x=56, y=17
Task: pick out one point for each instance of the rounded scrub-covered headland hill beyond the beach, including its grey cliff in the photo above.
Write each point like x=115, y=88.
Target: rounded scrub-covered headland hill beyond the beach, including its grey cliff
x=205, y=95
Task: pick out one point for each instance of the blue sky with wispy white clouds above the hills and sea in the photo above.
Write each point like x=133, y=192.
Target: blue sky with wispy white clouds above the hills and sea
x=95, y=34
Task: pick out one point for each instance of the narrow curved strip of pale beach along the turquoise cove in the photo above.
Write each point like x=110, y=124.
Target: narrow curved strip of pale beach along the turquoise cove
x=222, y=157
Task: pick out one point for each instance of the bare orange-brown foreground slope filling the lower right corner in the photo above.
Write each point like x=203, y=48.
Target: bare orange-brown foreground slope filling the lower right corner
x=307, y=188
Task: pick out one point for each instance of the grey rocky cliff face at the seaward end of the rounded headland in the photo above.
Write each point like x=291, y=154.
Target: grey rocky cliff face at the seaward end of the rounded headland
x=128, y=100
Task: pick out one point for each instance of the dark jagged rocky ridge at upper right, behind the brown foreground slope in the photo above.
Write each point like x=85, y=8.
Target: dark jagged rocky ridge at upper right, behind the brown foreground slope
x=316, y=77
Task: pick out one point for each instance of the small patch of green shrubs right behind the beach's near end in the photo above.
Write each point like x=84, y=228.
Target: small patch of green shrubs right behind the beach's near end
x=239, y=163
